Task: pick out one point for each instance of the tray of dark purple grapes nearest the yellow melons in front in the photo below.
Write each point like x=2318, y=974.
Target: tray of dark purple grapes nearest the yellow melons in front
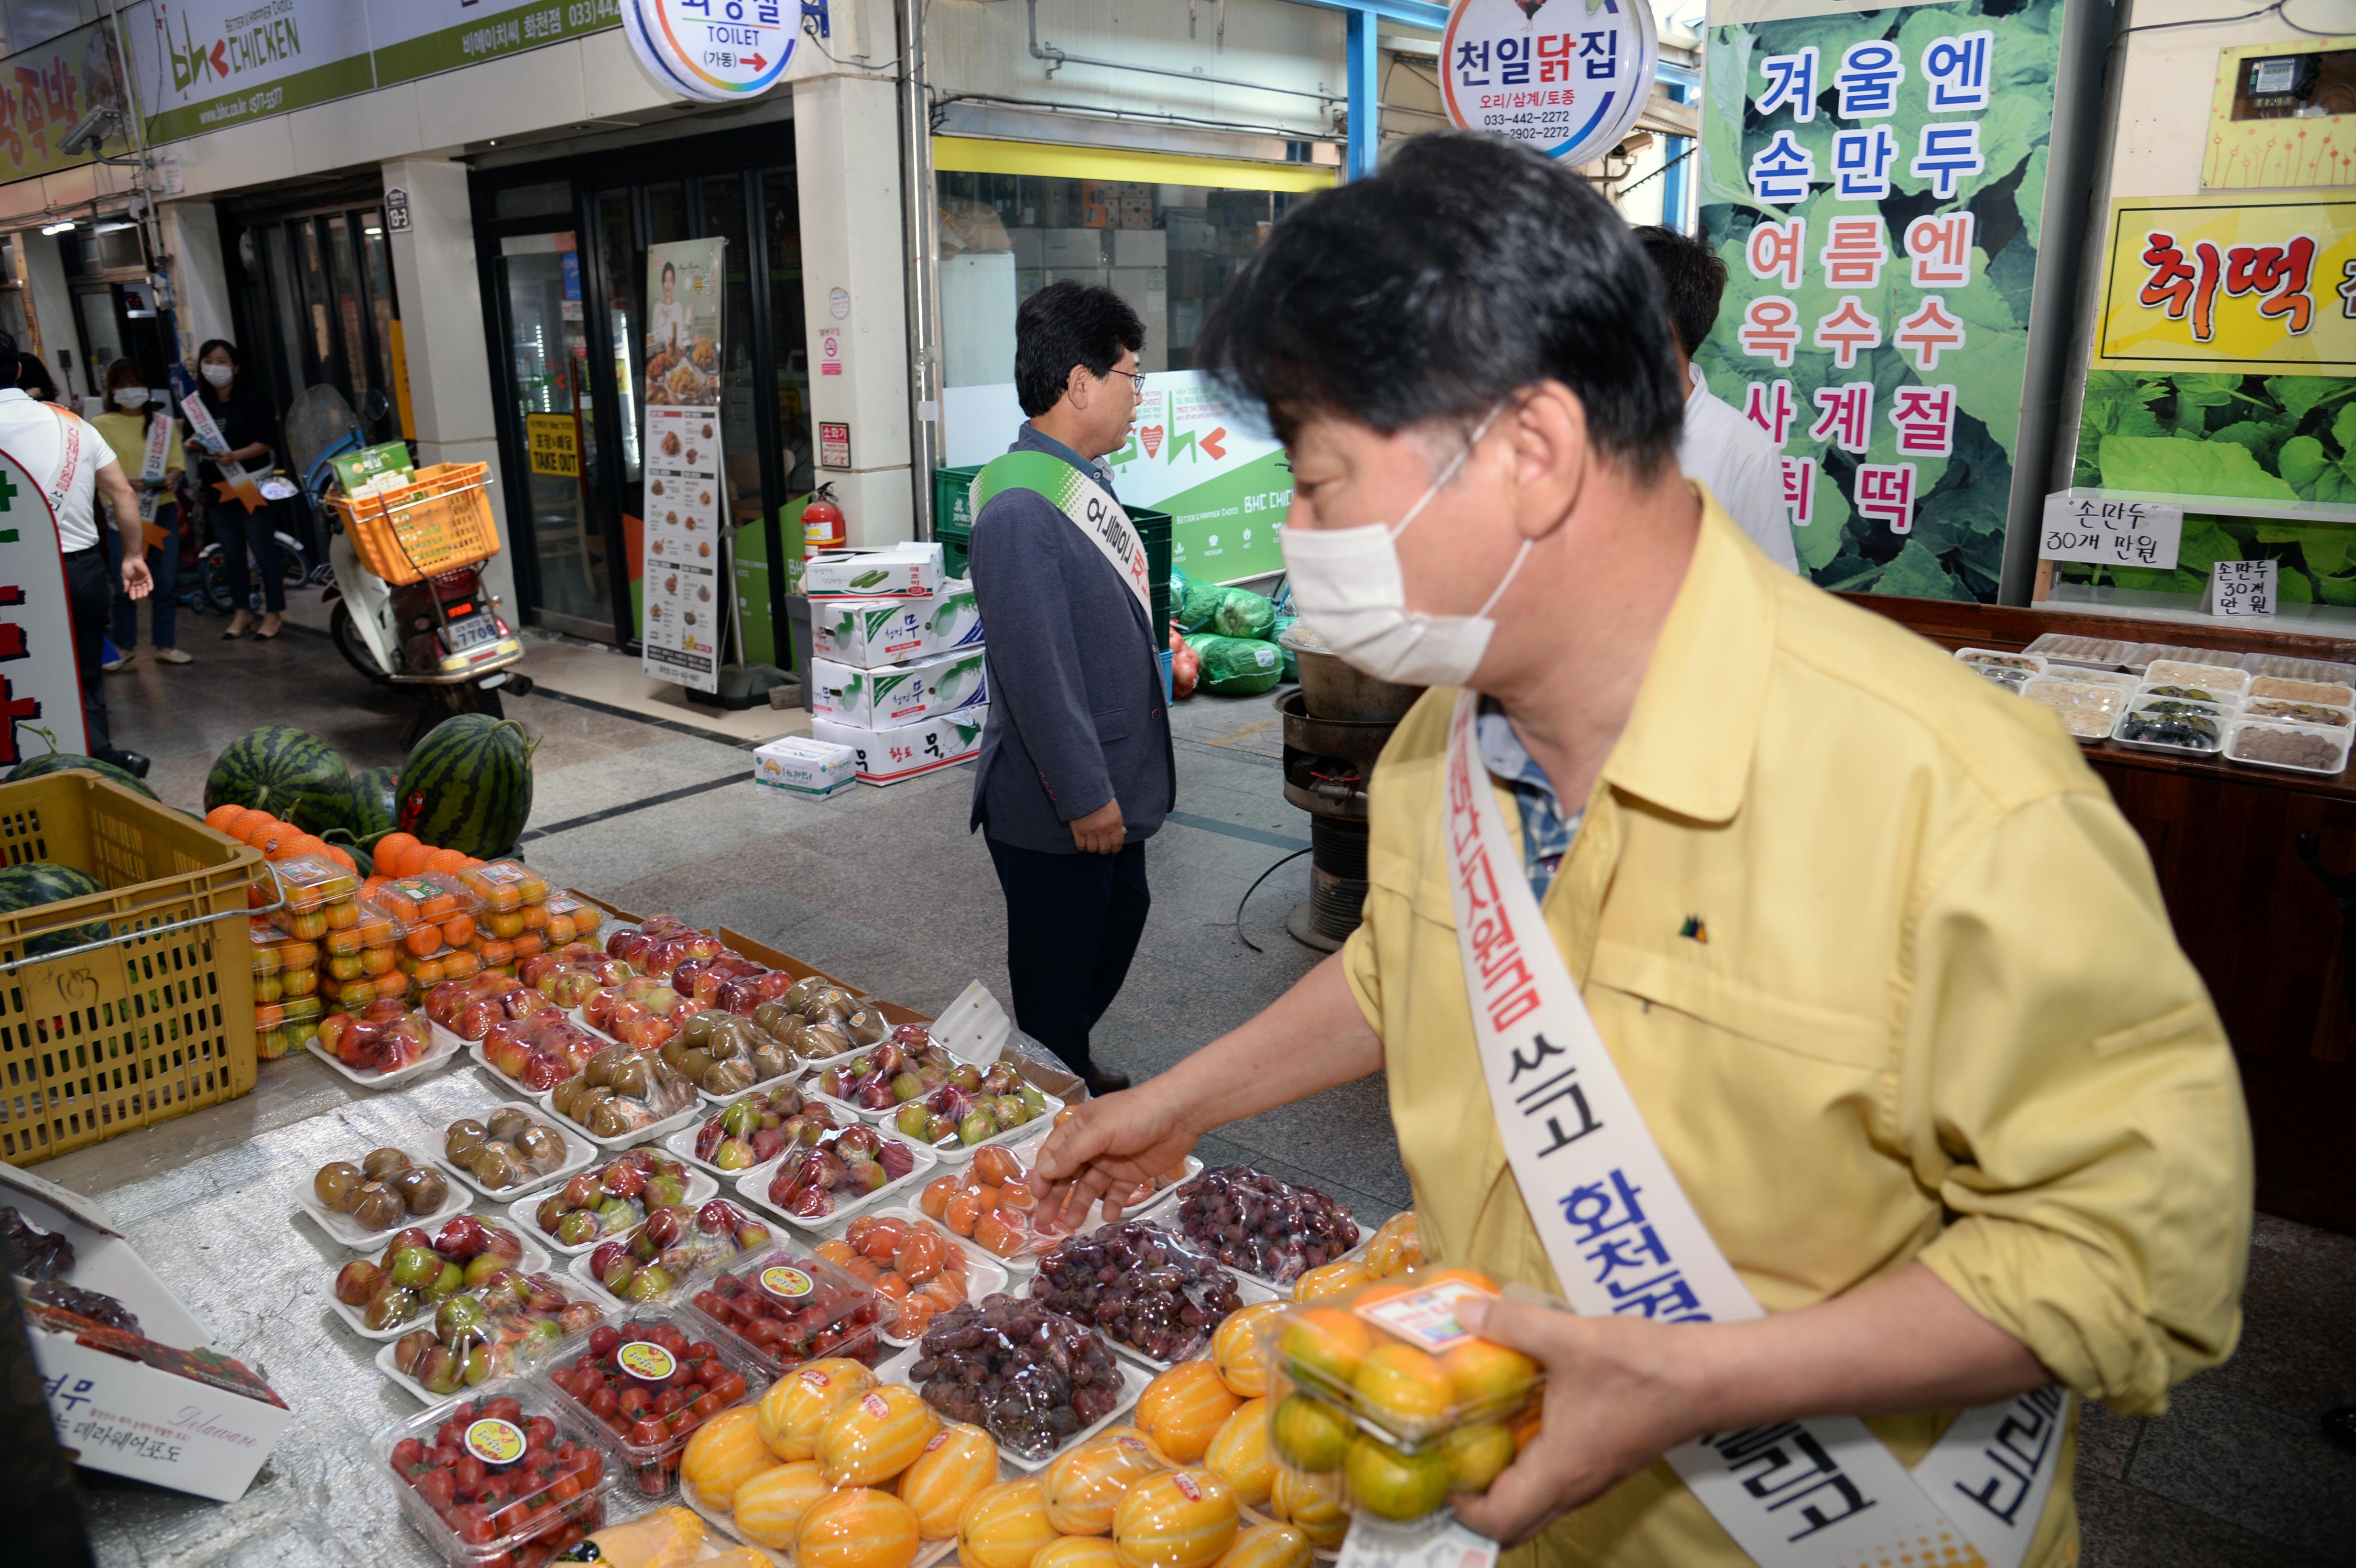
x=1026, y=1374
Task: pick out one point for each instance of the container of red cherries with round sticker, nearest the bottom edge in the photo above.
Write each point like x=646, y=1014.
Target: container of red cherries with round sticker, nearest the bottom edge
x=536, y=1454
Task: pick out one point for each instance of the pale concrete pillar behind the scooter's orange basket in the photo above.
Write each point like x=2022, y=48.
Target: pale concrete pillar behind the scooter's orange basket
x=442, y=335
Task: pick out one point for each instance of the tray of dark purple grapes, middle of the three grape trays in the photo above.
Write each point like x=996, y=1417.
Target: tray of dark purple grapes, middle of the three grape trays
x=1139, y=1287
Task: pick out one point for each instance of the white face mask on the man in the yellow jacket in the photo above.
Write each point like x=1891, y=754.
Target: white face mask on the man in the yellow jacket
x=1351, y=592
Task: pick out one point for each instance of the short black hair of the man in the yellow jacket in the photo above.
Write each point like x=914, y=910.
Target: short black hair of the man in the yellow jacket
x=1462, y=274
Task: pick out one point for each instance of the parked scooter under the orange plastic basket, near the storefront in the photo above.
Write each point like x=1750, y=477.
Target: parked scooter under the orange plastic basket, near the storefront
x=442, y=634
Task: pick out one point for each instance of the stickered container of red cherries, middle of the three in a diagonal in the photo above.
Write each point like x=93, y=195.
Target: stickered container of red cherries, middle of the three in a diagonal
x=651, y=1360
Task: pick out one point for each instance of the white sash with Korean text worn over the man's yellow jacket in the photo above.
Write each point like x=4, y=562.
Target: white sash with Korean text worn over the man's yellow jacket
x=1624, y=1240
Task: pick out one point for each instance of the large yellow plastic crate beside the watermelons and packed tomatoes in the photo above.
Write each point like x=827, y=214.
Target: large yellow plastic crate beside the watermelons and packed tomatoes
x=157, y=1018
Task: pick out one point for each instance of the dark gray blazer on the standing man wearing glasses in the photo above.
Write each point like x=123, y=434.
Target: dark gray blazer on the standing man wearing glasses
x=1076, y=682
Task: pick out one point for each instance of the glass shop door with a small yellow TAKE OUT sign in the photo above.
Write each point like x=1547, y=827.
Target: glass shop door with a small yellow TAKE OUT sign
x=550, y=423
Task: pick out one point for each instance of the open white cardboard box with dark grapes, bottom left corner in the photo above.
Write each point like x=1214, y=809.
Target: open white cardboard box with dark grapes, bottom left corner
x=126, y=1409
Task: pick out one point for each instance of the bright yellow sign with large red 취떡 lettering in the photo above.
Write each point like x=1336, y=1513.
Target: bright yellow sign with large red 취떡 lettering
x=2237, y=284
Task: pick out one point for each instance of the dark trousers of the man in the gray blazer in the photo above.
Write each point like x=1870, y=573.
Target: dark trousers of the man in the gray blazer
x=1073, y=924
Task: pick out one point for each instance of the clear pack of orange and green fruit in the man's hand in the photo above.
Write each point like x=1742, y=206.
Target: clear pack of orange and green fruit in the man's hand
x=1384, y=1400
